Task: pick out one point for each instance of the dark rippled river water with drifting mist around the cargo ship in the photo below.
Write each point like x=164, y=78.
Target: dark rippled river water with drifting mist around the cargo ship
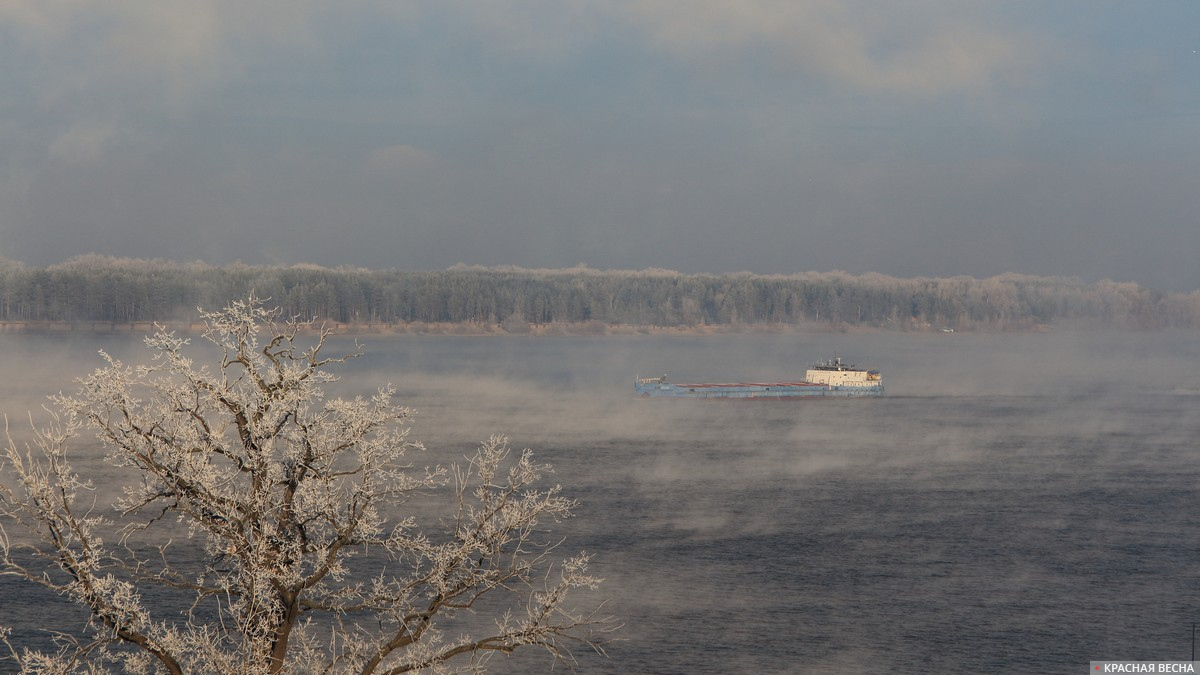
x=1015, y=504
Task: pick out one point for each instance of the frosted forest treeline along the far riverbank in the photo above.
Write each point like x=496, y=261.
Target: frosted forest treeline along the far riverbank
x=97, y=289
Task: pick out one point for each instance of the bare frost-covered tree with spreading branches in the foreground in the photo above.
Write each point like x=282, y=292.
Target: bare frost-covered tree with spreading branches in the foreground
x=290, y=523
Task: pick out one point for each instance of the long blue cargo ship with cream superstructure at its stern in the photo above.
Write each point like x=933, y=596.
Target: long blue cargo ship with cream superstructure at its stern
x=830, y=379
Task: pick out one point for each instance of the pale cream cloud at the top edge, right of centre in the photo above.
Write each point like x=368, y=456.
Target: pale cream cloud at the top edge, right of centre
x=917, y=49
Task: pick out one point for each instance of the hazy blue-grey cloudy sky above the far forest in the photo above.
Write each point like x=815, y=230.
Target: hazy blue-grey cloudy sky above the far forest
x=913, y=139
